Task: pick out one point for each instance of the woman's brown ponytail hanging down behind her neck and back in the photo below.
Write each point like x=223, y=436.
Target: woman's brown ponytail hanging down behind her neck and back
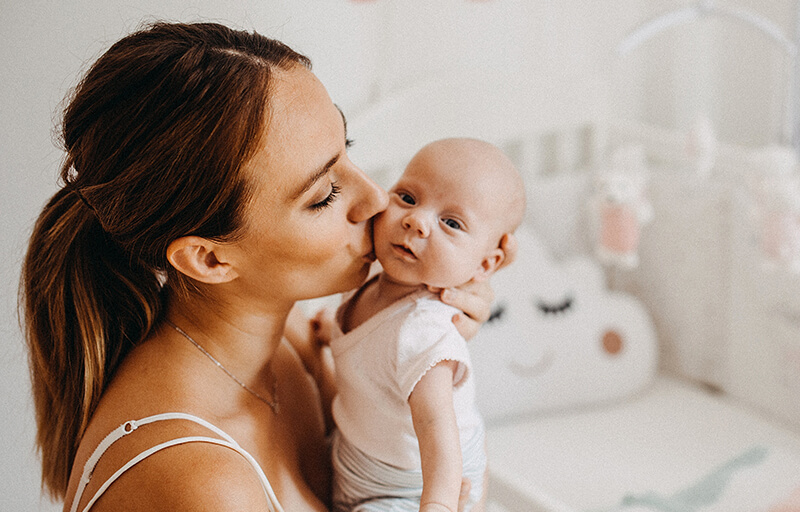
x=86, y=305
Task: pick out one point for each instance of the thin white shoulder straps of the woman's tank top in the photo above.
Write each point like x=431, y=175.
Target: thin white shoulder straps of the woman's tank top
x=129, y=426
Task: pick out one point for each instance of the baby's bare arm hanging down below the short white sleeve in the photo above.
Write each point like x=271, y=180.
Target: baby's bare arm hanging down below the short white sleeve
x=439, y=446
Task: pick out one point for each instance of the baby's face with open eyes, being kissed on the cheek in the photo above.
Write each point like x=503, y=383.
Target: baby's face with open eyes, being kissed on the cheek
x=440, y=224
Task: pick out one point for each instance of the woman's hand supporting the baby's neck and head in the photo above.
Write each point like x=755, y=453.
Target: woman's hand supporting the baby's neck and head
x=474, y=299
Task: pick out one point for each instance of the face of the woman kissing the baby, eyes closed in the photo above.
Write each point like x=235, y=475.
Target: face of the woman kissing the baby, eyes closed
x=308, y=230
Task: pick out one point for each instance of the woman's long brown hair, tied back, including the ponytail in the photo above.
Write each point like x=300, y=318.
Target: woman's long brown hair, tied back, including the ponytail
x=156, y=136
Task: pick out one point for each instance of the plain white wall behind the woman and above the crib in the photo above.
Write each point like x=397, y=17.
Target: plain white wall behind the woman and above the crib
x=554, y=57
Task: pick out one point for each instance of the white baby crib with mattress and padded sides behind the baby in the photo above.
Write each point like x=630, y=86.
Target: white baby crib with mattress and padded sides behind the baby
x=700, y=412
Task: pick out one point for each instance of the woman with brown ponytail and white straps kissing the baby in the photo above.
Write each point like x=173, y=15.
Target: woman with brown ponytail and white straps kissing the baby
x=207, y=188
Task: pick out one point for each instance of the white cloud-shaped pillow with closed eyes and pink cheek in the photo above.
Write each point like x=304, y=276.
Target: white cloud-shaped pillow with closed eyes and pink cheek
x=558, y=338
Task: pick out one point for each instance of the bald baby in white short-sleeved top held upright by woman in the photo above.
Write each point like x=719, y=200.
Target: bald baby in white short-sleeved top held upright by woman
x=408, y=428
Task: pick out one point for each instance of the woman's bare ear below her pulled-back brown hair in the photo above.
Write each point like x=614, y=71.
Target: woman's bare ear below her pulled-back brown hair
x=196, y=257
